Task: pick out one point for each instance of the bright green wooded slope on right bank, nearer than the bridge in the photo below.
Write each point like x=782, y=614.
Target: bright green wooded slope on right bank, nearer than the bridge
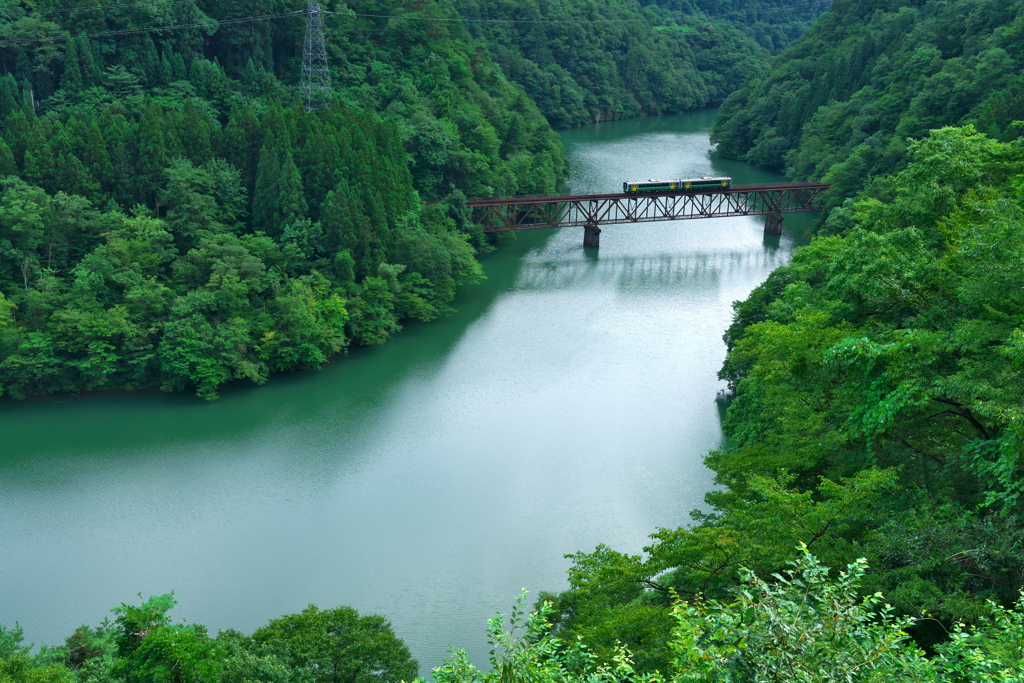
x=878, y=414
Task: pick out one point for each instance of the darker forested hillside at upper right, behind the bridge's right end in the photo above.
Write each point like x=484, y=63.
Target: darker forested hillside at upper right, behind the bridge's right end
x=840, y=104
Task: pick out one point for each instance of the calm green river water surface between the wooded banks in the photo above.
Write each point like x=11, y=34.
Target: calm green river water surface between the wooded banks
x=569, y=403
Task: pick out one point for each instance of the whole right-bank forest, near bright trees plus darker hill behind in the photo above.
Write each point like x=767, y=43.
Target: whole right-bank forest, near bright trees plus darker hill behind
x=876, y=381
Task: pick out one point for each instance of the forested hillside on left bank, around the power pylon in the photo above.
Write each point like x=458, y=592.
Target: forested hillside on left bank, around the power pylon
x=170, y=216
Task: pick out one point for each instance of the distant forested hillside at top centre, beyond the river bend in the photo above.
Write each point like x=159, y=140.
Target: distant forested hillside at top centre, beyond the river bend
x=583, y=63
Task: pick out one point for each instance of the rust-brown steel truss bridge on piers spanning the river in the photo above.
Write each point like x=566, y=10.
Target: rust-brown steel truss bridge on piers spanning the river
x=592, y=211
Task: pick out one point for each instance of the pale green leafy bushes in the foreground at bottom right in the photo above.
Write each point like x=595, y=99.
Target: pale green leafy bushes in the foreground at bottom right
x=800, y=626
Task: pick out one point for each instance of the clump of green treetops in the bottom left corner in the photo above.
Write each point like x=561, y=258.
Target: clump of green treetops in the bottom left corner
x=143, y=646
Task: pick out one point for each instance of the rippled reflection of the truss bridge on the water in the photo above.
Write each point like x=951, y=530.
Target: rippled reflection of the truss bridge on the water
x=662, y=272
